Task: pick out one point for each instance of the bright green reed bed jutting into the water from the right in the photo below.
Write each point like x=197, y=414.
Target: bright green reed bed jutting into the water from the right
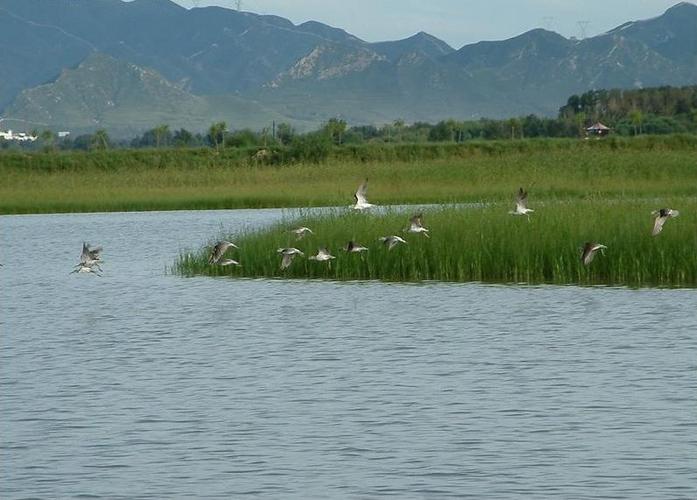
x=483, y=244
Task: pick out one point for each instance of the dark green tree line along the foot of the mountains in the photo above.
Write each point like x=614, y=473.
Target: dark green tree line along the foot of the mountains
x=660, y=110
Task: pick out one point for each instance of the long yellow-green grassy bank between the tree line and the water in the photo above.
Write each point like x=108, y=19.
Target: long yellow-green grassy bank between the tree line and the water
x=423, y=173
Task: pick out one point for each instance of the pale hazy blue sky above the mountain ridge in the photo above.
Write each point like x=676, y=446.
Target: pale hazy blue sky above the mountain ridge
x=458, y=22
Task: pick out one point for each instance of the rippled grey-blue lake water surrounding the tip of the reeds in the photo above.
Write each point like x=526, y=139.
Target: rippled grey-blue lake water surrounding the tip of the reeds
x=141, y=384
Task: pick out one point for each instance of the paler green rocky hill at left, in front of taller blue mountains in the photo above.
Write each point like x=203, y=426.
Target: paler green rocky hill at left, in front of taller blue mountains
x=103, y=92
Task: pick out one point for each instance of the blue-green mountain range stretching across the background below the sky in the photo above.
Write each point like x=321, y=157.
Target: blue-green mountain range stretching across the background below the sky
x=127, y=66
